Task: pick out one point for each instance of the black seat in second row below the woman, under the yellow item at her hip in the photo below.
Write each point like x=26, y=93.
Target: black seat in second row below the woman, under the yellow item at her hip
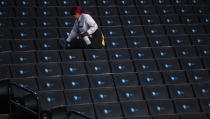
x=97, y=67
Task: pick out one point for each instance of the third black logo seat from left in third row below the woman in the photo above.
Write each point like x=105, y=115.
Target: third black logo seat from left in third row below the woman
x=75, y=82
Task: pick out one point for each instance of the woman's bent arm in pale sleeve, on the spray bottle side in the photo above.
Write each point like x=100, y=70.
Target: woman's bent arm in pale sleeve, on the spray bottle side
x=92, y=24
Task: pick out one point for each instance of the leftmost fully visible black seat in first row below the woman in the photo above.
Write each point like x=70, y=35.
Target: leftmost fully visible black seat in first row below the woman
x=24, y=57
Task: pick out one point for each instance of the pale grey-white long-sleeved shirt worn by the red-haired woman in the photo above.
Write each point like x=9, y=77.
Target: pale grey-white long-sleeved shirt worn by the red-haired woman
x=85, y=23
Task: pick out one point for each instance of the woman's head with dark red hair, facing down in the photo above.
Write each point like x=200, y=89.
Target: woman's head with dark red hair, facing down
x=77, y=11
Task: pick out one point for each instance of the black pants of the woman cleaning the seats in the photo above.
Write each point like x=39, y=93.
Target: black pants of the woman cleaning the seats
x=96, y=42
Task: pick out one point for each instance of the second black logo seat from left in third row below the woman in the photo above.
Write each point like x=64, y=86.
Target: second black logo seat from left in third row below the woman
x=50, y=83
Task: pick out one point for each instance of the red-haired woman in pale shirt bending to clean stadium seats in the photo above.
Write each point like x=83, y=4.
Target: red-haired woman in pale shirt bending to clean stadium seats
x=85, y=33
